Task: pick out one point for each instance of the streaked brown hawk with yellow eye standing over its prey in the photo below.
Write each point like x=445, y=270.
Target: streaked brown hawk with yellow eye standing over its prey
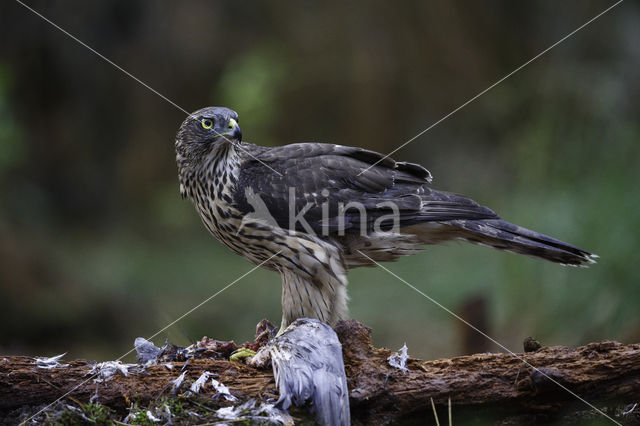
x=311, y=211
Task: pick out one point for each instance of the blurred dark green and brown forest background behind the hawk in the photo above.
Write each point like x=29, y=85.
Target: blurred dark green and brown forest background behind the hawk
x=96, y=246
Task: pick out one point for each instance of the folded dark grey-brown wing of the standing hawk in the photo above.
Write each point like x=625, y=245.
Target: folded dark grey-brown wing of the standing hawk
x=317, y=182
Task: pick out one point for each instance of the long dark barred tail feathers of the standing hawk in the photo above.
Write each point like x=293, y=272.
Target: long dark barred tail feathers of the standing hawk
x=506, y=236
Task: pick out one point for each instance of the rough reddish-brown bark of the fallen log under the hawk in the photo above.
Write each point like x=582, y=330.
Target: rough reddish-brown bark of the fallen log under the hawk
x=607, y=374
